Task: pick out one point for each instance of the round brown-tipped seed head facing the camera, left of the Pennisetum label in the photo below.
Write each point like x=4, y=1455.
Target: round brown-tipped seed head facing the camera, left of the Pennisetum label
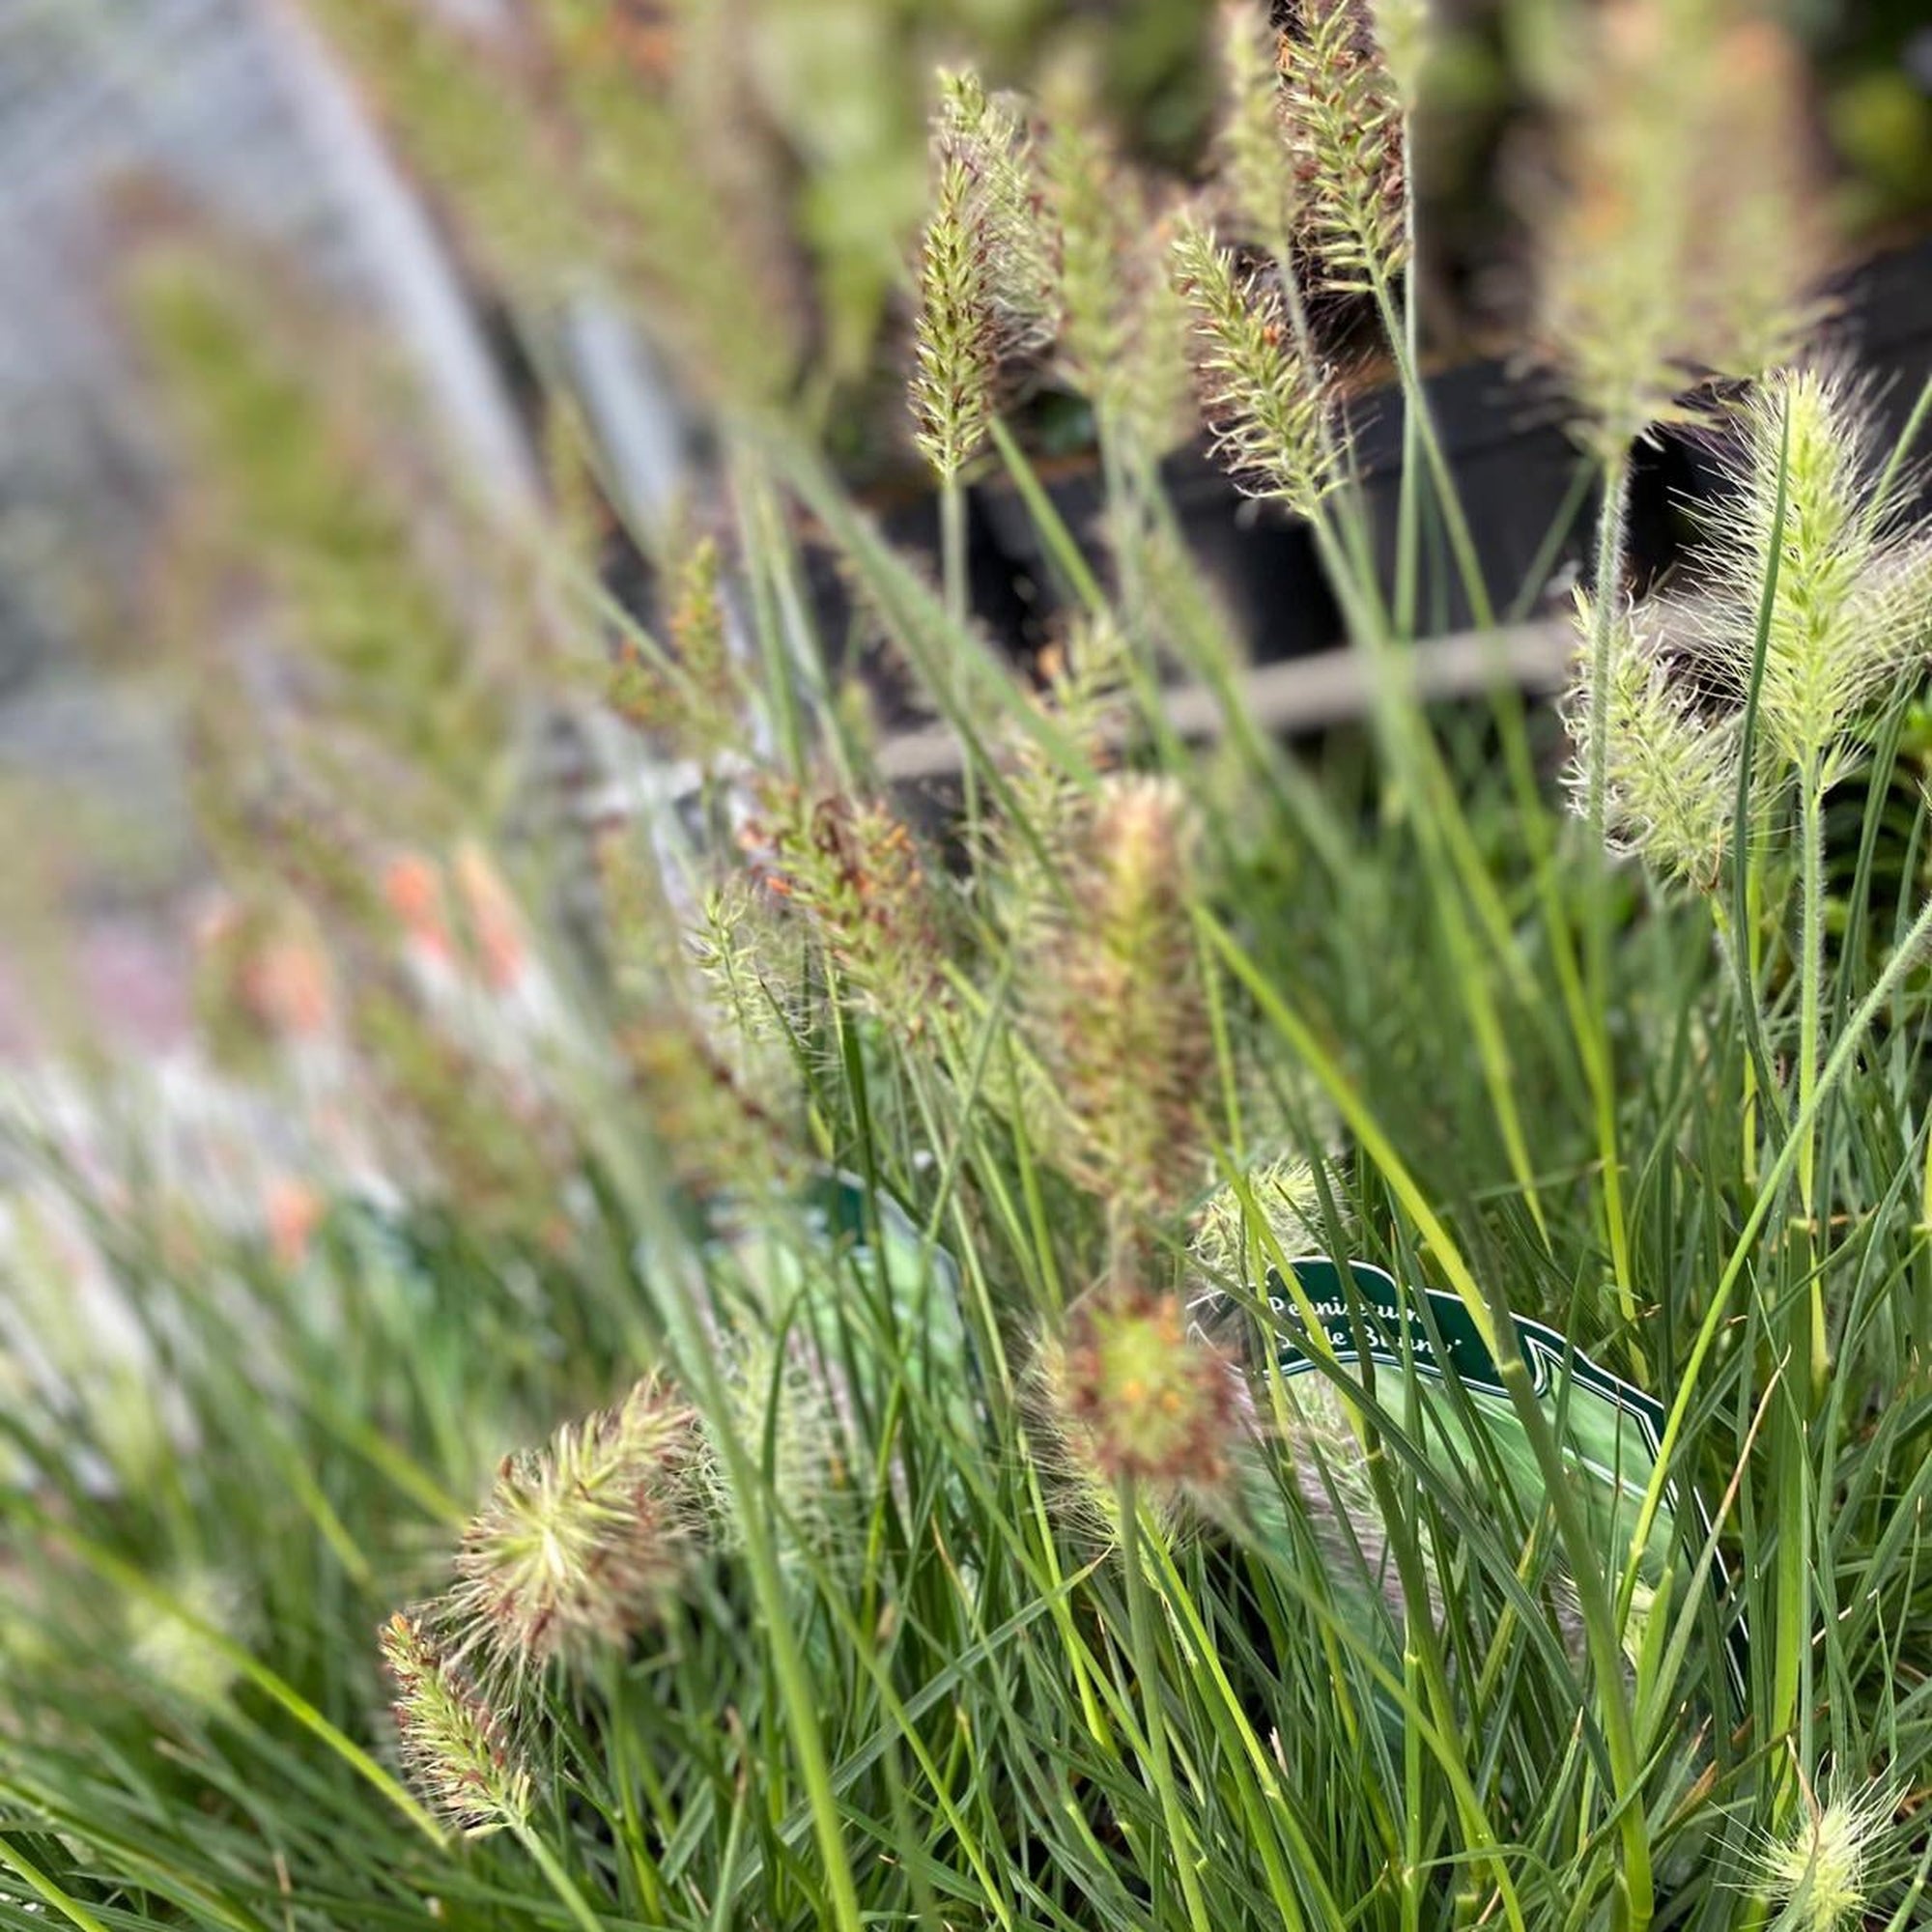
x=1151, y=1400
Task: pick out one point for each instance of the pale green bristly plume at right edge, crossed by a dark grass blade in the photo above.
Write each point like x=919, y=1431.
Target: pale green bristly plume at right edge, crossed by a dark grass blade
x=1854, y=596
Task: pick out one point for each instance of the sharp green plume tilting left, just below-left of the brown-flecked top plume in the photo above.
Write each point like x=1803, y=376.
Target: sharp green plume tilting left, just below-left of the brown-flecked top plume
x=1264, y=405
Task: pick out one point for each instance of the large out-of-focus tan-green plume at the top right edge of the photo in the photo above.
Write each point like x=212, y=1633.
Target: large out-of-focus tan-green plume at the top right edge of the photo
x=1684, y=239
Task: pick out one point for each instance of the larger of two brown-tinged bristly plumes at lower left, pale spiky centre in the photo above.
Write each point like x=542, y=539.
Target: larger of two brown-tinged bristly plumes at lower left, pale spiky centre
x=581, y=1541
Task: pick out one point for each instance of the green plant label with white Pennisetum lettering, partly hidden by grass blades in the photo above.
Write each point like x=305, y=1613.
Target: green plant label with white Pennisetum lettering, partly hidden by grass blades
x=1610, y=1433
